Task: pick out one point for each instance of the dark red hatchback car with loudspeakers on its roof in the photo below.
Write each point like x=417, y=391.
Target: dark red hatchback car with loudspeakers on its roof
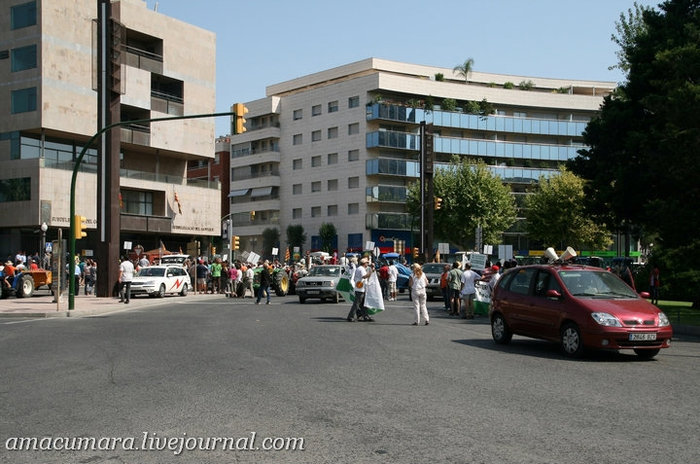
x=578, y=307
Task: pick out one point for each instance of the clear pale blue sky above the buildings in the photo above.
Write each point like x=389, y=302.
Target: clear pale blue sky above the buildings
x=264, y=42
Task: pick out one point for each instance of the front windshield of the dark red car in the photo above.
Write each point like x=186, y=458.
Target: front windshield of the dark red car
x=595, y=284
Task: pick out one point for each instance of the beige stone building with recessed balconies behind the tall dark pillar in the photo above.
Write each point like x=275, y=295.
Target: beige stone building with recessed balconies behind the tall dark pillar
x=49, y=107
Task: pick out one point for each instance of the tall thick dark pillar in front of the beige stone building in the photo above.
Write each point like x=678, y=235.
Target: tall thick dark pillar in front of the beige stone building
x=111, y=37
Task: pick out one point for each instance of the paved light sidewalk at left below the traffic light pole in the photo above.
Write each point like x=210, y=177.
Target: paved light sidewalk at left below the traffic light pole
x=42, y=304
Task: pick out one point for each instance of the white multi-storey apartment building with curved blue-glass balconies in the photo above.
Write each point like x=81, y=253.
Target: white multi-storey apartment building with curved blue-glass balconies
x=340, y=146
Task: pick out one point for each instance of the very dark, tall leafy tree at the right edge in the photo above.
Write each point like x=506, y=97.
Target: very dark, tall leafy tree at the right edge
x=643, y=164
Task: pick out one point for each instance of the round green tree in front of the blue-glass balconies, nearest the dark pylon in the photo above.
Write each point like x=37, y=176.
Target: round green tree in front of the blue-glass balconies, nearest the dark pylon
x=471, y=196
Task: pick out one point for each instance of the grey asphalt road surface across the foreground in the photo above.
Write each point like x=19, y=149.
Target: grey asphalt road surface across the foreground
x=175, y=375
